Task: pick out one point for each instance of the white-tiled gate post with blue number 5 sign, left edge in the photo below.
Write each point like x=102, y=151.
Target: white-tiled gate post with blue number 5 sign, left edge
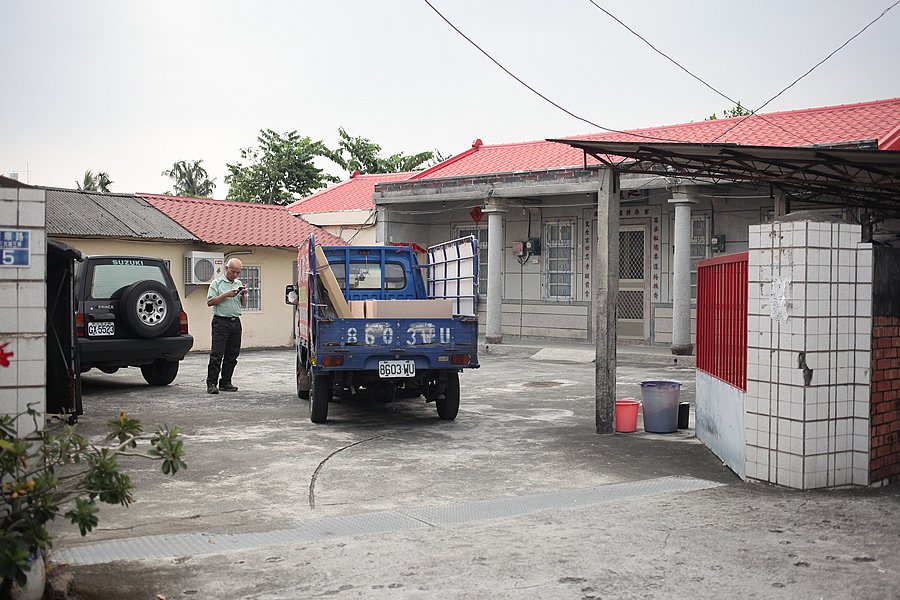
x=23, y=313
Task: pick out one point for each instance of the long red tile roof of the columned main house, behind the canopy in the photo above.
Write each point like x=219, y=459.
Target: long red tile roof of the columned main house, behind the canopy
x=877, y=120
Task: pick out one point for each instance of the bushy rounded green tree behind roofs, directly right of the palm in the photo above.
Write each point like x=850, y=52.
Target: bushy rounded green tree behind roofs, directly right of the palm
x=280, y=171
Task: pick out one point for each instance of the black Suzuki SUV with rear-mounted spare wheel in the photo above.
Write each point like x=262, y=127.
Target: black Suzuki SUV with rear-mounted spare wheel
x=128, y=314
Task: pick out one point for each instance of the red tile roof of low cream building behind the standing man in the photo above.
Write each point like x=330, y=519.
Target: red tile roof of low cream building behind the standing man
x=239, y=223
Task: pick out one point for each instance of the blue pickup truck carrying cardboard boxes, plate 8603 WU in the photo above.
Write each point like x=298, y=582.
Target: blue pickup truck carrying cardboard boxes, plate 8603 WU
x=375, y=320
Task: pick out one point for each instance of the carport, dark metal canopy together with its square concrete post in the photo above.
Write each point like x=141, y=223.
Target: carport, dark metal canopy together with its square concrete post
x=865, y=179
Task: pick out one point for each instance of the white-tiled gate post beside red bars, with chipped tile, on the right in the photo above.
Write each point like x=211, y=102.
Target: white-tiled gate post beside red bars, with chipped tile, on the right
x=809, y=340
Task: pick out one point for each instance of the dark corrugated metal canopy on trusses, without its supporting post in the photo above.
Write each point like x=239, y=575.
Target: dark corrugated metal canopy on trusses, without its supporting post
x=864, y=178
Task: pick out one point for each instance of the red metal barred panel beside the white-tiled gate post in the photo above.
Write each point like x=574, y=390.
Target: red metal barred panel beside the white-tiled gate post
x=722, y=318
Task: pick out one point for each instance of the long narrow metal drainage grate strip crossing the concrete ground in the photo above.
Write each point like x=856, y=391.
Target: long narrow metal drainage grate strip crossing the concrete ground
x=372, y=523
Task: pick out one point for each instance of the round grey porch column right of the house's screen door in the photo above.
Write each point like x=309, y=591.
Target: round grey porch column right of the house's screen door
x=681, y=279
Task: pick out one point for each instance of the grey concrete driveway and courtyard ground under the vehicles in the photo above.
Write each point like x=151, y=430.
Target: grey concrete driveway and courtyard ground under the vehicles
x=517, y=498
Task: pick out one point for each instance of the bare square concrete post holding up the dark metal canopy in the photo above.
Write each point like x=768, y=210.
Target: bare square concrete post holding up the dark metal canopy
x=606, y=292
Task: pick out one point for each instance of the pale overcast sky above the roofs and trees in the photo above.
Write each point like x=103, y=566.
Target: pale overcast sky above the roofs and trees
x=129, y=87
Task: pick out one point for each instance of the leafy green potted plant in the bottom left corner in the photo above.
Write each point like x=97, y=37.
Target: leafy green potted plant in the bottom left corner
x=58, y=468
